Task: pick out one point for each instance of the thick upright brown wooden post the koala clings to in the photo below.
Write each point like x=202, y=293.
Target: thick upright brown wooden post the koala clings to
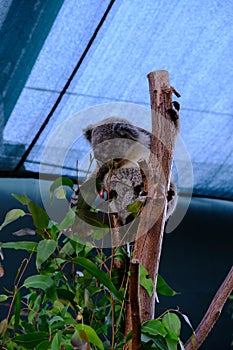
x=151, y=227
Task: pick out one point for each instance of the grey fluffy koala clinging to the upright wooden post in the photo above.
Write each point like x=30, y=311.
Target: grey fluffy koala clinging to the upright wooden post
x=123, y=146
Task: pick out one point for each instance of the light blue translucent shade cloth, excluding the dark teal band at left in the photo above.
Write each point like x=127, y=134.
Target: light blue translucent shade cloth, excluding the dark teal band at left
x=193, y=40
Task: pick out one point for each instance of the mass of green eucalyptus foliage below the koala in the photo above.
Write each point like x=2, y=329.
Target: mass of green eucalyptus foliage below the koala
x=76, y=299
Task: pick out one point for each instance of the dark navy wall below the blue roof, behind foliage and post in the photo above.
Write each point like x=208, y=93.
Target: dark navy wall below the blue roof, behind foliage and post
x=196, y=257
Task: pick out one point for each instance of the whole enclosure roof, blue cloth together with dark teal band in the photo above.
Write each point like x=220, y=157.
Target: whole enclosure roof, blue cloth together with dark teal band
x=70, y=63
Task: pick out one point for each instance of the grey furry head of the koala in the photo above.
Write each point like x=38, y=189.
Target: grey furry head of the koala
x=112, y=137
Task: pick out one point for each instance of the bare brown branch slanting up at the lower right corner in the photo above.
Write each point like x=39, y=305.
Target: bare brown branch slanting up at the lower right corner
x=212, y=314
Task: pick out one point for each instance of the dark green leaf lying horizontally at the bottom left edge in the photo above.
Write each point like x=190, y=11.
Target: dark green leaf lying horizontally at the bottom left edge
x=31, y=340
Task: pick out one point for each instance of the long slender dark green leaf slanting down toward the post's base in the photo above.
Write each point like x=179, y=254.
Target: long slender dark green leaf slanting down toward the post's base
x=101, y=276
